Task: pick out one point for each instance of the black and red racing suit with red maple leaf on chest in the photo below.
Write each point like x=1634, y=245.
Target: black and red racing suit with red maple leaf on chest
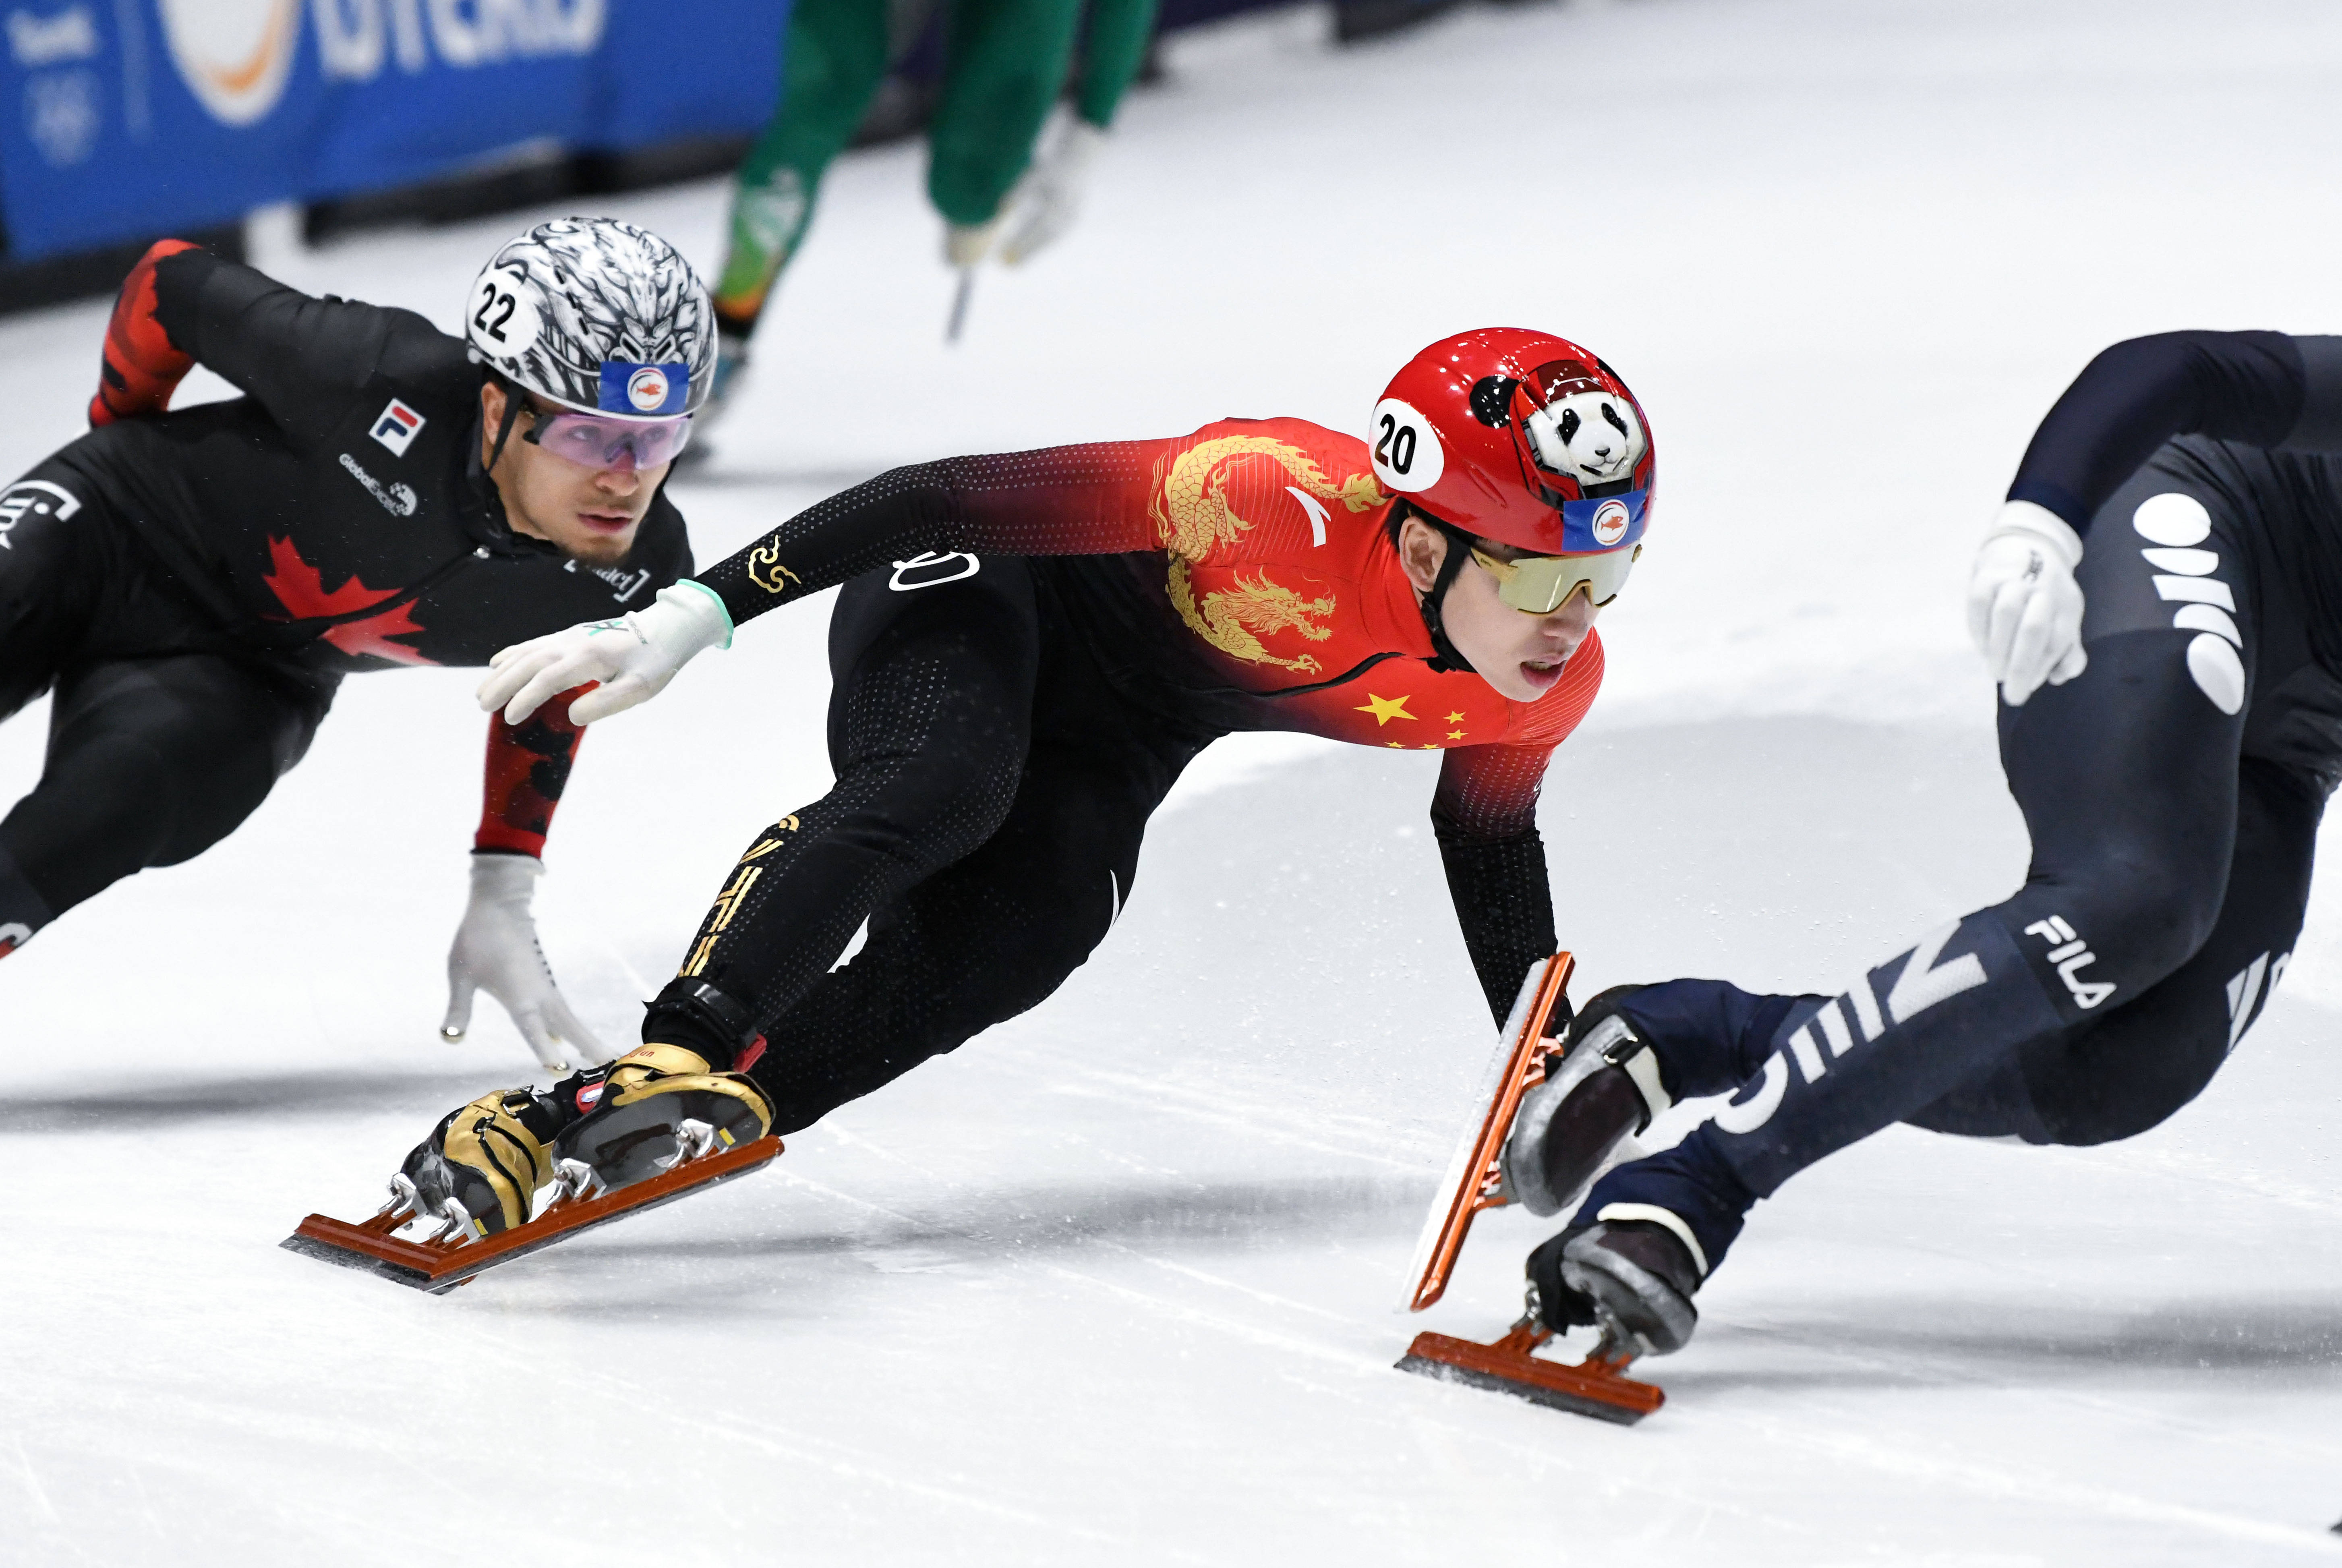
x=196, y=585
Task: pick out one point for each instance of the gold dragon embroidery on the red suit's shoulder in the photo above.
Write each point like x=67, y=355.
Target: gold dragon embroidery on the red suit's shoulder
x=1193, y=514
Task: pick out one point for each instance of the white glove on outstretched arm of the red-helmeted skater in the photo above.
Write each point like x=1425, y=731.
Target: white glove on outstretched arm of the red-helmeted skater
x=634, y=657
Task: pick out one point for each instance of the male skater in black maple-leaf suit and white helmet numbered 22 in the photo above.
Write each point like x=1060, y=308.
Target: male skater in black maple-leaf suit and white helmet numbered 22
x=196, y=585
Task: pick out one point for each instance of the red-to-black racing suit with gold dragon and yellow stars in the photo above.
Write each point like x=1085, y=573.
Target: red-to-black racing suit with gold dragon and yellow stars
x=1027, y=653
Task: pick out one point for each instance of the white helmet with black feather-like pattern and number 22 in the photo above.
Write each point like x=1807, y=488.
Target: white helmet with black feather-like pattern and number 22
x=596, y=315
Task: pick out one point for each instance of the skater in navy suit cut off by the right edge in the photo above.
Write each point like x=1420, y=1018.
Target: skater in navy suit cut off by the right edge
x=2172, y=728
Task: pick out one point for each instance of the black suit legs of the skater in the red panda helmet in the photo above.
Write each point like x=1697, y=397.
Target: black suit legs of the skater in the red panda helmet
x=987, y=817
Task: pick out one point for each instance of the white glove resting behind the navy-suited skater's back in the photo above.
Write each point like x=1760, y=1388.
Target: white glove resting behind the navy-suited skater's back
x=2025, y=611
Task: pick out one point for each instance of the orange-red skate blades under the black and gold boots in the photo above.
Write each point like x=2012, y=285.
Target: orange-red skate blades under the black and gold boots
x=444, y=1264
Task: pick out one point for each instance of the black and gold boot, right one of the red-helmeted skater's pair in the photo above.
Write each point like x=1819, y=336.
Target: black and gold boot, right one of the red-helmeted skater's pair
x=657, y=1107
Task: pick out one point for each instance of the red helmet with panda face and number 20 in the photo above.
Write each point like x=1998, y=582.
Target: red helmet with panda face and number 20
x=1519, y=437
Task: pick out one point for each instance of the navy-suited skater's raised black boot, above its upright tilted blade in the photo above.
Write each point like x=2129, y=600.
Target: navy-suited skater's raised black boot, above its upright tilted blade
x=1603, y=1091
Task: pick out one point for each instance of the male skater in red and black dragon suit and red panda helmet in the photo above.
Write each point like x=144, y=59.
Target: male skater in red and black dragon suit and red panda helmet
x=1027, y=653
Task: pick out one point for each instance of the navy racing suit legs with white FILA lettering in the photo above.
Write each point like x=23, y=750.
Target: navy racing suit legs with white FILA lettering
x=2172, y=793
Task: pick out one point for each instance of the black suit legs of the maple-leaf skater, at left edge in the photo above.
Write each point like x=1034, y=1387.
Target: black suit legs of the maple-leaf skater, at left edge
x=156, y=754
